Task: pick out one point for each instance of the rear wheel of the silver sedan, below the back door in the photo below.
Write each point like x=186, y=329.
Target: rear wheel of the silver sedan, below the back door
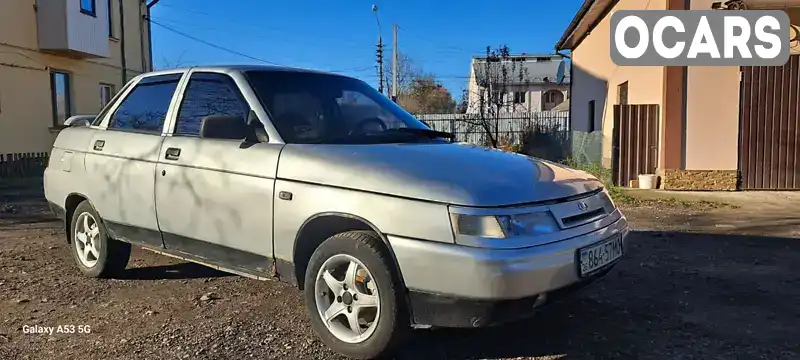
x=106, y=257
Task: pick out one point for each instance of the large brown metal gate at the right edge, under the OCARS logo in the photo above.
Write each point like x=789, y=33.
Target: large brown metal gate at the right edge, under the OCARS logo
x=769, y=148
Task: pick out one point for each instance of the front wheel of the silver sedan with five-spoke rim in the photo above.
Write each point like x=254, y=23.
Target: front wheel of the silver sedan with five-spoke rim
x=391, y=324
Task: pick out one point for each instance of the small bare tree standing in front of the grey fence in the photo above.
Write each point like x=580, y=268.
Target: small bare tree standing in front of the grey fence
x=496, y=75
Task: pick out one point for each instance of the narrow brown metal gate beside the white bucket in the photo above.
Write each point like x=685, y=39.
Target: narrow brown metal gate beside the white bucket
x=635, y=148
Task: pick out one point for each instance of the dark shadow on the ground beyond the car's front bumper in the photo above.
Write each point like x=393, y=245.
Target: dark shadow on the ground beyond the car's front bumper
x=675, y=295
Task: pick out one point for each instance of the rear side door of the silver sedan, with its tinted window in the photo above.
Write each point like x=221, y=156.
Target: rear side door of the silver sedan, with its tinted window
x=122, y=156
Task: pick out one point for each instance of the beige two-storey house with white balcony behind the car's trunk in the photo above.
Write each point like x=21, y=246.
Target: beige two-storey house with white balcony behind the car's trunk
x=64, y=57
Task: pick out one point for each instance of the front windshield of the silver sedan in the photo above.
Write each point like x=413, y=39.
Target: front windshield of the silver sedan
x=315, y=108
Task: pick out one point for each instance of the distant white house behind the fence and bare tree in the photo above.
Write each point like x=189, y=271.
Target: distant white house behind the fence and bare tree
x=530, y=82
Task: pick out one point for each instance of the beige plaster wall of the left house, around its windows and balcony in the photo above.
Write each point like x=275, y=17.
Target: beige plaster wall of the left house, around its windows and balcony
x=26, y=118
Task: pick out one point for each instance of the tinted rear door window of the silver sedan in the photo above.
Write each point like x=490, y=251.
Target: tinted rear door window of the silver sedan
x=145, y=108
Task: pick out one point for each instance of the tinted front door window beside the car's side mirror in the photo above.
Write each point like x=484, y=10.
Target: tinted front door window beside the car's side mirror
x=209, y=94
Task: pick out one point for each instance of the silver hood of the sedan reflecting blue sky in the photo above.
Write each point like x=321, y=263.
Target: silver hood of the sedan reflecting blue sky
x=448, y=173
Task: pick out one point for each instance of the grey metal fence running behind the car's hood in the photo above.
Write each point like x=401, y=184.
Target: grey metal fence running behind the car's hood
x=511, y=128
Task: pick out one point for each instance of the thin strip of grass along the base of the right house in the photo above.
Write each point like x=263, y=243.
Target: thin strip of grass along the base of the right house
x=620, y=197
